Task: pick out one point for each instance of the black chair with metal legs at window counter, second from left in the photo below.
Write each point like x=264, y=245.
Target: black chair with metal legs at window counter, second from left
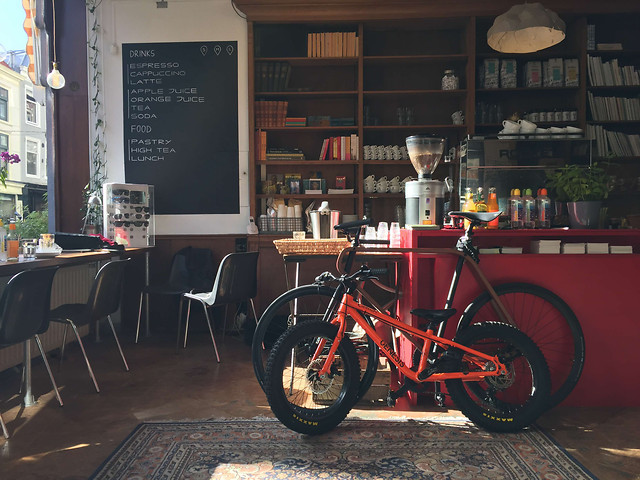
x=104, y=299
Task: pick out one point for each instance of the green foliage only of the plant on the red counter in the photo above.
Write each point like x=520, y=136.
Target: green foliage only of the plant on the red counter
x=576, y=183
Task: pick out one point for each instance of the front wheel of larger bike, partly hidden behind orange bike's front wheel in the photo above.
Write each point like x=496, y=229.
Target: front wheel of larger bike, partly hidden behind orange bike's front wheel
x=302, y=304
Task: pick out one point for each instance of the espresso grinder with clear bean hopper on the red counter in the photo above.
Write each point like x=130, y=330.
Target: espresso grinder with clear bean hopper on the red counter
x=425, y=196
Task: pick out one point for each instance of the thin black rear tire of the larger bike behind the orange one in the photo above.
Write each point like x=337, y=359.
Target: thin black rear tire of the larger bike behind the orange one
x=573, y=323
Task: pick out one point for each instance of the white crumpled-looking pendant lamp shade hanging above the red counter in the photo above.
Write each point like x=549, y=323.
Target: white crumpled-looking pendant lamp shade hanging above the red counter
x=526, y=28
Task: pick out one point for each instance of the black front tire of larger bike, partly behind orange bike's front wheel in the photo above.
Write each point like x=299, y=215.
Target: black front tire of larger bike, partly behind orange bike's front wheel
x=282, y=302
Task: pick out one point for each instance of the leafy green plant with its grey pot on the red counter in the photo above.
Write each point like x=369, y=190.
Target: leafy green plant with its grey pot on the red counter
x=584, y=189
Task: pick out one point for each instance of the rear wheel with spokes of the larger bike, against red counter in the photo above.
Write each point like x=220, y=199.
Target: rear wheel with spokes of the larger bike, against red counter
x=547, y=320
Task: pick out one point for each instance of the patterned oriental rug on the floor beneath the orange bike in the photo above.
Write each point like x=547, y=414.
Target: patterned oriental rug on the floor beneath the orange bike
x=450, y=448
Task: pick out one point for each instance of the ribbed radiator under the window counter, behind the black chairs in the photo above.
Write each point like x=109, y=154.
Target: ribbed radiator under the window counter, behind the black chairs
x=70, y=285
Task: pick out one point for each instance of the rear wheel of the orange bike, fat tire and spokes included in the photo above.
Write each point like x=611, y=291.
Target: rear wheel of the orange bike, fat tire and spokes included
x=511, y=401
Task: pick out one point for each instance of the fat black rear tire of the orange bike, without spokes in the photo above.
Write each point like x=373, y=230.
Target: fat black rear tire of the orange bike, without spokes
x=538, y=402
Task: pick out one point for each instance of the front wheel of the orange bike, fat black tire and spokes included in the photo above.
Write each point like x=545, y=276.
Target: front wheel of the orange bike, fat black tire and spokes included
x=302, y=399
